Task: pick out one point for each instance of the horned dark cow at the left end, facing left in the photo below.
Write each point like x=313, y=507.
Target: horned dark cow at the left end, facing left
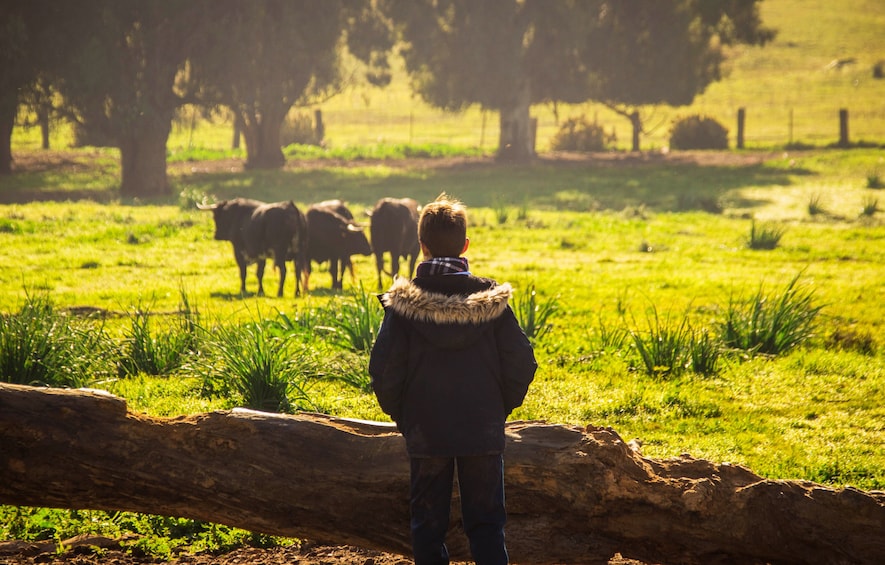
x=260, y=231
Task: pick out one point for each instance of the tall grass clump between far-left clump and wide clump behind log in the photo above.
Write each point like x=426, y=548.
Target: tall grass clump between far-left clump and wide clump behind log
x=159, y=352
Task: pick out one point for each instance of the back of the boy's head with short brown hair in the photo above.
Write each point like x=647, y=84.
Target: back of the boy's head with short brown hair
x=442, y=227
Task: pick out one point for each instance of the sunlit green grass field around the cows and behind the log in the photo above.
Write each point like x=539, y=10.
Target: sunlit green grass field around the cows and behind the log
x=614, y=240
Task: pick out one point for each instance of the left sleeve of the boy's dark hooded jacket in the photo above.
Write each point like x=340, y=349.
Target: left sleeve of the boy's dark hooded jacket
x=388, y=366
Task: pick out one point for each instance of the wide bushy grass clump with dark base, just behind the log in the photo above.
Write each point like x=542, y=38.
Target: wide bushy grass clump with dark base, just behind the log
x=258, y=369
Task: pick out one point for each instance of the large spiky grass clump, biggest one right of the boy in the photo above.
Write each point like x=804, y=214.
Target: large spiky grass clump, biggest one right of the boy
x=770, y=324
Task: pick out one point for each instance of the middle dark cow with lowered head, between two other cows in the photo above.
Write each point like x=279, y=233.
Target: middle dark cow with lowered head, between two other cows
x=334, y=236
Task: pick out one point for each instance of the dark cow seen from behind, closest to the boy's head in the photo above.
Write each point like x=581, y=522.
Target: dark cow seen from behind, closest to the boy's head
x=394, y=230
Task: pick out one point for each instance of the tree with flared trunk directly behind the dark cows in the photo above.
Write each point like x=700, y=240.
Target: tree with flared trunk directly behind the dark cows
x=269, y=55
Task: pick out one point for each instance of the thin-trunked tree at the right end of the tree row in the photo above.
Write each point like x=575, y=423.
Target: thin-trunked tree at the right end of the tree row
x=665, y=51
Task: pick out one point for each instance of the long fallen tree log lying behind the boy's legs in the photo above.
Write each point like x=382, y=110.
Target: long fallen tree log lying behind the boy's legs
x=574, y=495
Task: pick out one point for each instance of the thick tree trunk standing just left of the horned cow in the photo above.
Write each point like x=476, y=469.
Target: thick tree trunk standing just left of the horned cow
x=143, y=159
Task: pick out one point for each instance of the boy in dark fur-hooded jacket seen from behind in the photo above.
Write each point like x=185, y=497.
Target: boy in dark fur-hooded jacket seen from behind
x=449, y=365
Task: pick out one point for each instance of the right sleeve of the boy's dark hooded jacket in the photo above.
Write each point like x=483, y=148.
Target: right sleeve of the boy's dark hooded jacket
x=517, y=358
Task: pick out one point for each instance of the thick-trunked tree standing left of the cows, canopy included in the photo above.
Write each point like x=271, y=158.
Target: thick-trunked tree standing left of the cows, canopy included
x=126, y=81
